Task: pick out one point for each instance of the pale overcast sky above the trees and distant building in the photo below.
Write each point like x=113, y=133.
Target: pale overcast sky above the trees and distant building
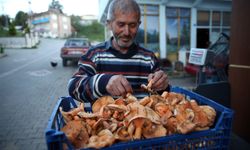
x=76, y=7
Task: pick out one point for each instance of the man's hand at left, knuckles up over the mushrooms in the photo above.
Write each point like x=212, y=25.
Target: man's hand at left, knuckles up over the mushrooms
x=118, y=85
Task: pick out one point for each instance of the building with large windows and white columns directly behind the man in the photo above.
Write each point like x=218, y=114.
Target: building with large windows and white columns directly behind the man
x=170, y=25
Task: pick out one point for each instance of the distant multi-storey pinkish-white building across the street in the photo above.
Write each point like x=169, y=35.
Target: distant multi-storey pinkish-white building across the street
x=51, y=23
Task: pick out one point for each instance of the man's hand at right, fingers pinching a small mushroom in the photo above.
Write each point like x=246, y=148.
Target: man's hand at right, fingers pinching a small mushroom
x=159, y=80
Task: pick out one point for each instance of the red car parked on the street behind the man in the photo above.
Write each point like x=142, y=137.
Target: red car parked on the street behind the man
x=73, y=49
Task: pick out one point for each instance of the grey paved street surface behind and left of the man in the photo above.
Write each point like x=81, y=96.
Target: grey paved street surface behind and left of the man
x=29, y=89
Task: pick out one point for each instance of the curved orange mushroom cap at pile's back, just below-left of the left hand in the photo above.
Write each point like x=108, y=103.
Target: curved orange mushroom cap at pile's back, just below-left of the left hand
x=102, y=101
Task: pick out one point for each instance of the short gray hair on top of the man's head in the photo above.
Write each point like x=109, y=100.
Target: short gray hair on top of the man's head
x=123, y=6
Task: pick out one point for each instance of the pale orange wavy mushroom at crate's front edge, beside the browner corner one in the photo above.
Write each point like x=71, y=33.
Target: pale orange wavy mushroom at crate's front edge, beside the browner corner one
x=102, y=139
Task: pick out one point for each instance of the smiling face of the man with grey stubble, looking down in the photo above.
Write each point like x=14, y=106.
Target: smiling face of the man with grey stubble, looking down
x=124, y=28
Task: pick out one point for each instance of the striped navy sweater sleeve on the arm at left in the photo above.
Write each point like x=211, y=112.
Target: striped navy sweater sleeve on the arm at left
x=86, y=85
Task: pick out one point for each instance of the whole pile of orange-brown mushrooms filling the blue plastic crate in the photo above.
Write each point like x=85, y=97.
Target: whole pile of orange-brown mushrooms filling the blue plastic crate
x=126, y=119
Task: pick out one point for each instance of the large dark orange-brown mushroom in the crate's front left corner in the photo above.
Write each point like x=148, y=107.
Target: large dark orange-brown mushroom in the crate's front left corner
x=76, y=133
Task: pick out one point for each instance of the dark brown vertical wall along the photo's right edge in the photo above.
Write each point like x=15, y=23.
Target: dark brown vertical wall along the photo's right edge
x=239, y=70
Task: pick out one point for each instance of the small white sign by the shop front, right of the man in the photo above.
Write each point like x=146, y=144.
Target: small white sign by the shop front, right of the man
x=197, y=56
